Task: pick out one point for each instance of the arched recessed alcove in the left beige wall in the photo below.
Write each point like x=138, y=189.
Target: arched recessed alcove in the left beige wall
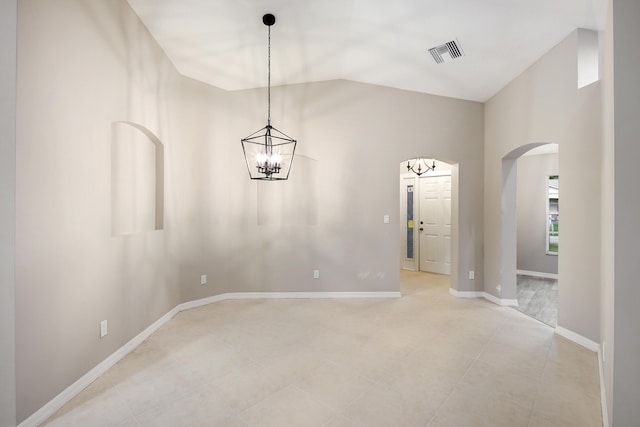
x=137, y=179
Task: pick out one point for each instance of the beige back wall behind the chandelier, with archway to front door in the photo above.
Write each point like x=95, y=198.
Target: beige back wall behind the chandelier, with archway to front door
x=329, y=216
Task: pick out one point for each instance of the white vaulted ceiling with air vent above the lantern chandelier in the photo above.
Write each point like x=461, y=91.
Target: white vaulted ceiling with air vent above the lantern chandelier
x=383, y=42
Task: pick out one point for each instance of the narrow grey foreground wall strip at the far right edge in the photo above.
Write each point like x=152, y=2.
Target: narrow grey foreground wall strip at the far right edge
x=626, y=128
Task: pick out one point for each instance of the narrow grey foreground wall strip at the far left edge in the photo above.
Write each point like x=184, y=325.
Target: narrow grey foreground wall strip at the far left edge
x=8, y=11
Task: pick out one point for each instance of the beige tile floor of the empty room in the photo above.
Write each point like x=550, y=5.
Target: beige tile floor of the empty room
x=426, y=359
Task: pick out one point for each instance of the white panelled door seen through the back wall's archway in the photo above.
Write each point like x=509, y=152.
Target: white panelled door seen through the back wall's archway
x=435, y=224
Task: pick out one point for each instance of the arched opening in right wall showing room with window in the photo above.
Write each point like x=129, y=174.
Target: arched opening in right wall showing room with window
x=529, y=230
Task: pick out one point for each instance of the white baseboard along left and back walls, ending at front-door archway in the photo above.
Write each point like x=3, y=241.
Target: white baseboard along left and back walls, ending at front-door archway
x=74, y=389
